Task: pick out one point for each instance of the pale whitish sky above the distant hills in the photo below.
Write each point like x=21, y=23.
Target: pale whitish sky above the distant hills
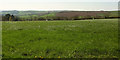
x=86, y=5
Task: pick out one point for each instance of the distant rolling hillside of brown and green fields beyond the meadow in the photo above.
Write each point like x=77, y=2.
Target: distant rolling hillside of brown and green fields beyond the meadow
x=60, y=15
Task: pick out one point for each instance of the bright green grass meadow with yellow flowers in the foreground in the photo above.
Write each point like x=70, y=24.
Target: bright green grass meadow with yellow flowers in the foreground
x=60, y=39
